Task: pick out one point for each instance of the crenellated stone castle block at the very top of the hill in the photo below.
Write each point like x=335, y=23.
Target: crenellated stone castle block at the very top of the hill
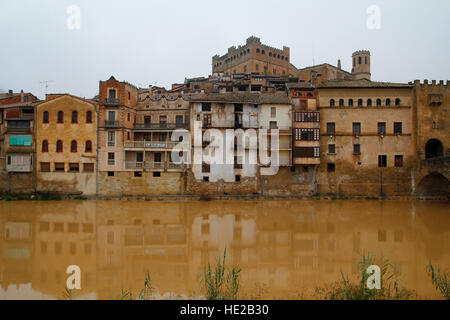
x=253, y=57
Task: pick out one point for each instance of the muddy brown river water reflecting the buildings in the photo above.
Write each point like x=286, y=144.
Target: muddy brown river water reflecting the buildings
x=284, y=248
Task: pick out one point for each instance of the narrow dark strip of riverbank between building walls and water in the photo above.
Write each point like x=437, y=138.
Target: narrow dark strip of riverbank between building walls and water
x=250, y=197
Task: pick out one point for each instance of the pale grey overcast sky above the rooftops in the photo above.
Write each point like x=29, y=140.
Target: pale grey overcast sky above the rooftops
x=162, y=42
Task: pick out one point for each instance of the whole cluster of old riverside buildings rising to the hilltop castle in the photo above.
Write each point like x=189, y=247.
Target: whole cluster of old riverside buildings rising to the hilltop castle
x=339, y=133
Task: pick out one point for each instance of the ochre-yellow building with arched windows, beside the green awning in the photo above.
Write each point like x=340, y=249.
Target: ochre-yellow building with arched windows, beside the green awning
x=66, y=140
